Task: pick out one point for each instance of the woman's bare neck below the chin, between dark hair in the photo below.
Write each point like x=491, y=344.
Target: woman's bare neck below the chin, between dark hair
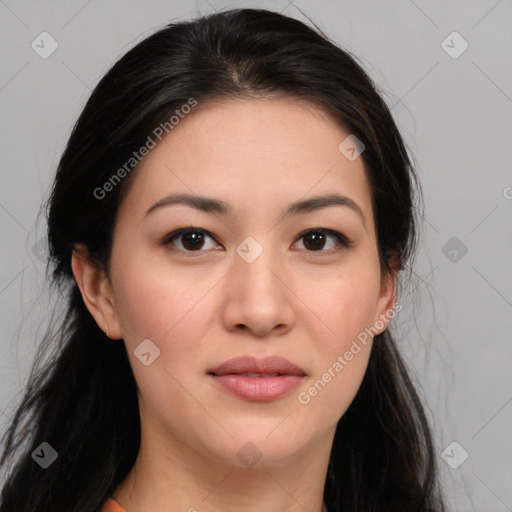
x=167, y=471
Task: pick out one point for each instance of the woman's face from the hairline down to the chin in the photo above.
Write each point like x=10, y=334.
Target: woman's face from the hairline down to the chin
x=255, y=280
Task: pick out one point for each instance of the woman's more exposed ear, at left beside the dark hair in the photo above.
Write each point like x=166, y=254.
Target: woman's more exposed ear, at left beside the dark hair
x=96, y=291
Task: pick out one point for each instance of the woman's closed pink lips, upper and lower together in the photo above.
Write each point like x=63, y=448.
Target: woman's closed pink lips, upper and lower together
x=258, y=380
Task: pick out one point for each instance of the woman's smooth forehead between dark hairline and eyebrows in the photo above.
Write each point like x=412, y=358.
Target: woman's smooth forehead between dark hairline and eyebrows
x=252, y=152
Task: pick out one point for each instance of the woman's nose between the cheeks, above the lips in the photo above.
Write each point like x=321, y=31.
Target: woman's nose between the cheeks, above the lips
x=259, y=299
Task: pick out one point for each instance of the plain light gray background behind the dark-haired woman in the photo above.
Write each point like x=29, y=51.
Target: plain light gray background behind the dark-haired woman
x=456, y=117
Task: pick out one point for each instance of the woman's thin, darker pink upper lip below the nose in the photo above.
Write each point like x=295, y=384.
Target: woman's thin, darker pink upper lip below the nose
x=249, y=364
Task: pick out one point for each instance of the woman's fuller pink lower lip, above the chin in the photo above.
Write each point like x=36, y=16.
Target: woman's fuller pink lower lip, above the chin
x=258, y=389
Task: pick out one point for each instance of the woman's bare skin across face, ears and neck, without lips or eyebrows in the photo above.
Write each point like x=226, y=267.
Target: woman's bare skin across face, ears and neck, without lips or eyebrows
x=204, y=307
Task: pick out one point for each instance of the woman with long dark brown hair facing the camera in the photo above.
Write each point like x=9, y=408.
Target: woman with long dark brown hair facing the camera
x=228, y=221
